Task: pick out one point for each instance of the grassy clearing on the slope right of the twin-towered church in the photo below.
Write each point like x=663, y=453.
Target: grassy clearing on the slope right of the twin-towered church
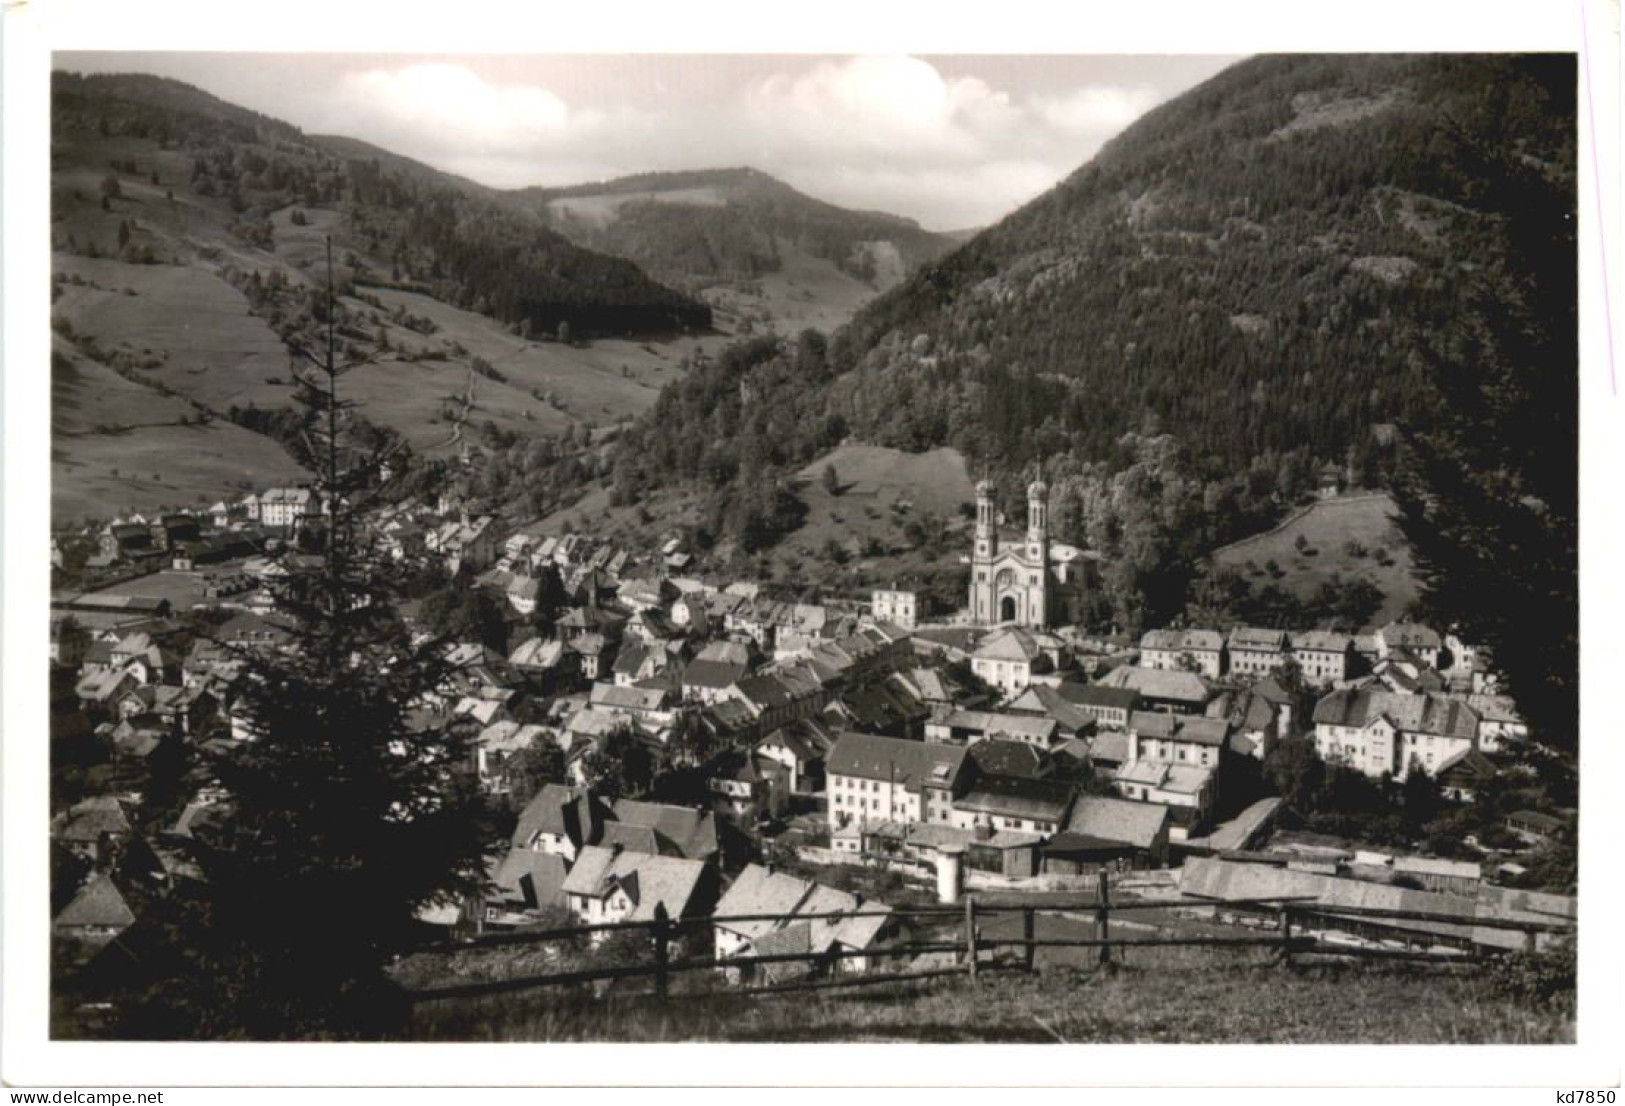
x=1330, y=527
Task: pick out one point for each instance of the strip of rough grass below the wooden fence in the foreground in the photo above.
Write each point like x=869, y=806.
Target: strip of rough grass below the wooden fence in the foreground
x=1194, y=996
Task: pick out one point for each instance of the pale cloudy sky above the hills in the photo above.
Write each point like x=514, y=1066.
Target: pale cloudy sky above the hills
x=951, y=142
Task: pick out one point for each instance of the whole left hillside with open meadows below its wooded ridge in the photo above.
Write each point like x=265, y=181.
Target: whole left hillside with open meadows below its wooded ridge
x=189, y=246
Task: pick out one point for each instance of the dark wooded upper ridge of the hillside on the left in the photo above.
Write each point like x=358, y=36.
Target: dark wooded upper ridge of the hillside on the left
x=405, y=223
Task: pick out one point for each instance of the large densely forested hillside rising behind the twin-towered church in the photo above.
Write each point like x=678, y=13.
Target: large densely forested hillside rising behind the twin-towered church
x=1234, y=295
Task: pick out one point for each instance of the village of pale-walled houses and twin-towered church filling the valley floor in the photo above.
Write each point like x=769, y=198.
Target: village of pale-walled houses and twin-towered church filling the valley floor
x=701, y=746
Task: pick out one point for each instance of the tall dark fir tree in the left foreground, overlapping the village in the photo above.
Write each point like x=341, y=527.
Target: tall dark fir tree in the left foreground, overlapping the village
x=349, y=816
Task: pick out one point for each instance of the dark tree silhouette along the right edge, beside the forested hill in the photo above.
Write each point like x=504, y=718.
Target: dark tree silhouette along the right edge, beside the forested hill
x=1491, y=491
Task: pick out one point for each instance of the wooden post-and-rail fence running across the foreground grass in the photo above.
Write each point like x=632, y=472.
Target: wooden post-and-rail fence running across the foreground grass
x=960, y=931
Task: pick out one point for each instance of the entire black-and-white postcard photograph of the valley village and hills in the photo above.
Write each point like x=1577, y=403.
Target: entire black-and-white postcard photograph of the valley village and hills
x=812, y=548
